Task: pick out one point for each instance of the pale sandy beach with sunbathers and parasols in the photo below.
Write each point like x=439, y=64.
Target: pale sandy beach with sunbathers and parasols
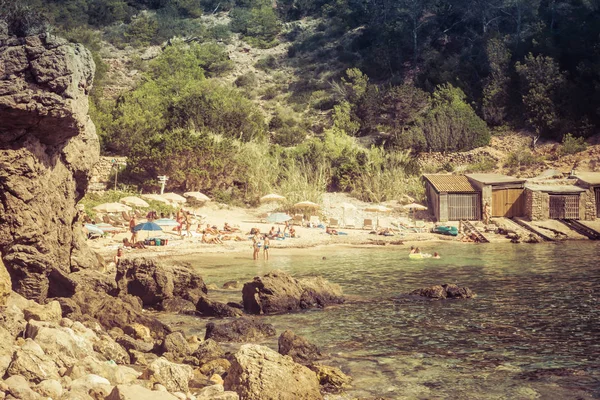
x=246, y=219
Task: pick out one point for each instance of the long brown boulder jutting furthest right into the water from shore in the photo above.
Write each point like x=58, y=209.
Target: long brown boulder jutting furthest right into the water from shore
x=278, y=292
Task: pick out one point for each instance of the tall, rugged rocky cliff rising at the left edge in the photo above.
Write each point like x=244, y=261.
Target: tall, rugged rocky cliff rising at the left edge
x=48, y=145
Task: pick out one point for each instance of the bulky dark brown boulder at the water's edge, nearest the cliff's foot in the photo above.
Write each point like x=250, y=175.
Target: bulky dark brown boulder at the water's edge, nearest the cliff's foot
x=154, y=282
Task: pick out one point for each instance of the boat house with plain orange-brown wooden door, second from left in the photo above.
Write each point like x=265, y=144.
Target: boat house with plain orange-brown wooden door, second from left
x=504, y=194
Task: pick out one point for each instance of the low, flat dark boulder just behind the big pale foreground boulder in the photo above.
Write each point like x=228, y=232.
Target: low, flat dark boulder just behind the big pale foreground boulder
x=239, y=330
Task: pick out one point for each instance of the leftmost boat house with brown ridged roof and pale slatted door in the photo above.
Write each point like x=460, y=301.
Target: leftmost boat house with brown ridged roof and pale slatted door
x=452, y=197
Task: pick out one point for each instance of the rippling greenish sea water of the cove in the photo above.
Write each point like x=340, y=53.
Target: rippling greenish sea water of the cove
x=532, y=332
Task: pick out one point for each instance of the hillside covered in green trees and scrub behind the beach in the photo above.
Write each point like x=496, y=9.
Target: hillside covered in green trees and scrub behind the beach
x=346, y=93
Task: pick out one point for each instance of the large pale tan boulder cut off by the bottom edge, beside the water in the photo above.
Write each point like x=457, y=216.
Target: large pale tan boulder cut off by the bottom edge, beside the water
x=259, y=373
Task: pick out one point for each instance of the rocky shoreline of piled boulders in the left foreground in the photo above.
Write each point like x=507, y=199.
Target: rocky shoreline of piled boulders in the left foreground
x=96, y=346
